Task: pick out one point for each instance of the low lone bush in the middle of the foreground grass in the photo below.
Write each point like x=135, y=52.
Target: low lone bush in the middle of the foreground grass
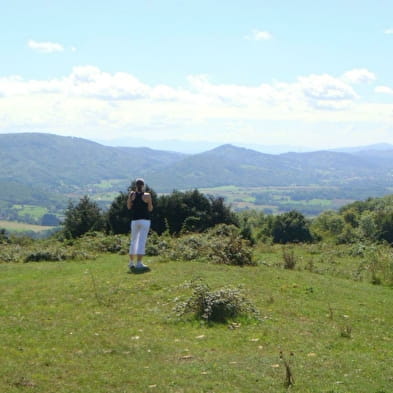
x=219, y=306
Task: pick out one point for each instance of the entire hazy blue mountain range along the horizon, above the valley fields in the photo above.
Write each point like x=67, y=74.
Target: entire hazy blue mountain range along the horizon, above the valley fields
x=62, y=164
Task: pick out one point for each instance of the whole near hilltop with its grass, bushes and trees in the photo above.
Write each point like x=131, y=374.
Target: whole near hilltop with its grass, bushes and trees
x=247, y=302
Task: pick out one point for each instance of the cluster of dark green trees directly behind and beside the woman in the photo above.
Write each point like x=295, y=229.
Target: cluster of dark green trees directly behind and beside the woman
x=179, y=211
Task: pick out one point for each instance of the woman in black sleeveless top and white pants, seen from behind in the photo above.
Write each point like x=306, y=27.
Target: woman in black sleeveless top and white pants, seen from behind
x=140, y=203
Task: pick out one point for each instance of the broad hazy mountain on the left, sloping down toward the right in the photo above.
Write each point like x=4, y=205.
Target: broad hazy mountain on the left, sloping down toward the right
x=59, y=163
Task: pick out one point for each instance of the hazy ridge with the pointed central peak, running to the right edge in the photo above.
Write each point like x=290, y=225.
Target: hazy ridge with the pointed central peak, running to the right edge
x=231, y=165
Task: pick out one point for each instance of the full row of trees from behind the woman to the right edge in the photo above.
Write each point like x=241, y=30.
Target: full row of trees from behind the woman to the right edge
x=192, y=211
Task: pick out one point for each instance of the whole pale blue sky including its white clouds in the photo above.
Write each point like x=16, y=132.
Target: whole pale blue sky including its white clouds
x=311, y=73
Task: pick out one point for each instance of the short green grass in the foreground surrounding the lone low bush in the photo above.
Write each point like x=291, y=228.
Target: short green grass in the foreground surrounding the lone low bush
x=88, y=326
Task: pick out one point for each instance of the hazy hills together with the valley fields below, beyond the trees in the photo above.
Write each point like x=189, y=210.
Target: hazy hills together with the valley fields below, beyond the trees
x=47, y=170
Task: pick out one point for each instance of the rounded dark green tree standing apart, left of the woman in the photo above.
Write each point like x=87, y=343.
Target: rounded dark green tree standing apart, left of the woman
x=83, y=217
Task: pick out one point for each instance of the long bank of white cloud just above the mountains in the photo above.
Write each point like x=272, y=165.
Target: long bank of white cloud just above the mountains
x=95, y=103
